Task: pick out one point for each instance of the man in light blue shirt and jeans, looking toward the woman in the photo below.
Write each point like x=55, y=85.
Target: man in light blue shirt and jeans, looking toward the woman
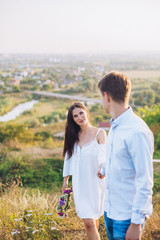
x=128, y=168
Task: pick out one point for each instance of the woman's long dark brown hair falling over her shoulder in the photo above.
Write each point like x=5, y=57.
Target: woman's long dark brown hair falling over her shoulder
x=72, y=129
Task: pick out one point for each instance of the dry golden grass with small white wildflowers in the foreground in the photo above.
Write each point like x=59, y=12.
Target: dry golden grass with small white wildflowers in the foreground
x=27, y=214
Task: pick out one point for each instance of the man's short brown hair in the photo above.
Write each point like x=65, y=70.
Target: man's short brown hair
x=117, y=85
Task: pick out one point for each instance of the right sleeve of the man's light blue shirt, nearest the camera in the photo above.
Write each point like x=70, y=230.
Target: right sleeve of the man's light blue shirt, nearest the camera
x=141, y=150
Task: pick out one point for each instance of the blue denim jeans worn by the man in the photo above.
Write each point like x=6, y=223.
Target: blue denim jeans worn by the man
x=116, y=229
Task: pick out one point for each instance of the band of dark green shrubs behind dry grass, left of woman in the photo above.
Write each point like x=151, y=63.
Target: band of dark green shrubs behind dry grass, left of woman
x=43, y=173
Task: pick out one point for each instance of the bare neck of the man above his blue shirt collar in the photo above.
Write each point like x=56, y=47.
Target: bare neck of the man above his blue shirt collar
x=117, y=109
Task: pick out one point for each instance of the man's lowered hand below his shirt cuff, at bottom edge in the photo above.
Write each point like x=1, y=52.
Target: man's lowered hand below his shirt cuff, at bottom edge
x=133, y=232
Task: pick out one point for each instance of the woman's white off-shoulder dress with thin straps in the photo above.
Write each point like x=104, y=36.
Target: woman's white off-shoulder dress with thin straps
x=88, y=189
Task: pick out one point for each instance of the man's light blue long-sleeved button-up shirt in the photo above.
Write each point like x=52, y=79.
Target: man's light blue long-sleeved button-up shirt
x=128, y=169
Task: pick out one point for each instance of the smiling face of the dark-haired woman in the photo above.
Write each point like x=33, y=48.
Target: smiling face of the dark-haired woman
x=80, y=116
